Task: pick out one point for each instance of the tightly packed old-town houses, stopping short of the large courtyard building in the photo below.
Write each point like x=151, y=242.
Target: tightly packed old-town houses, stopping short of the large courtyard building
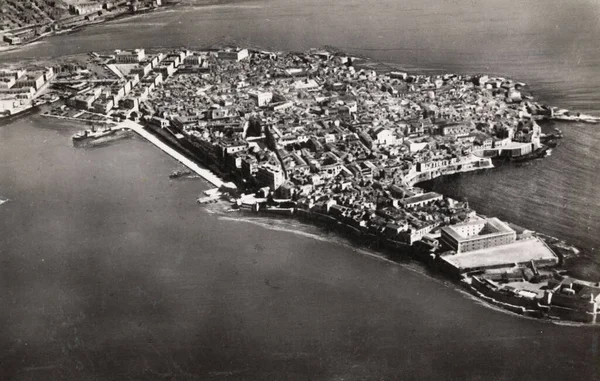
x=326, y=131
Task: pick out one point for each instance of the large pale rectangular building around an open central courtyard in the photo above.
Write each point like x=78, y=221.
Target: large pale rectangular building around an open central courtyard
x=477, y=235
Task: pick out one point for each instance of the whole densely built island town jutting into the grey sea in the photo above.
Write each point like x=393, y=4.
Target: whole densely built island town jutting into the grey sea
x=334, y=140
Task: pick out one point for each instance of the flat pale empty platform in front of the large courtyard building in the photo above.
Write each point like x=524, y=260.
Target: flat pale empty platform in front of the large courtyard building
x=516, y=252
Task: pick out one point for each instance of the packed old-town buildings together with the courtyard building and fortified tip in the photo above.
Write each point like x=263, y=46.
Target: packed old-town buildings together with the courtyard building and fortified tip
x=324, y=134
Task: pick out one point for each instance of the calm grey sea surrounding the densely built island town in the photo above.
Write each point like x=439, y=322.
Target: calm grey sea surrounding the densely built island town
x=110, y=271
